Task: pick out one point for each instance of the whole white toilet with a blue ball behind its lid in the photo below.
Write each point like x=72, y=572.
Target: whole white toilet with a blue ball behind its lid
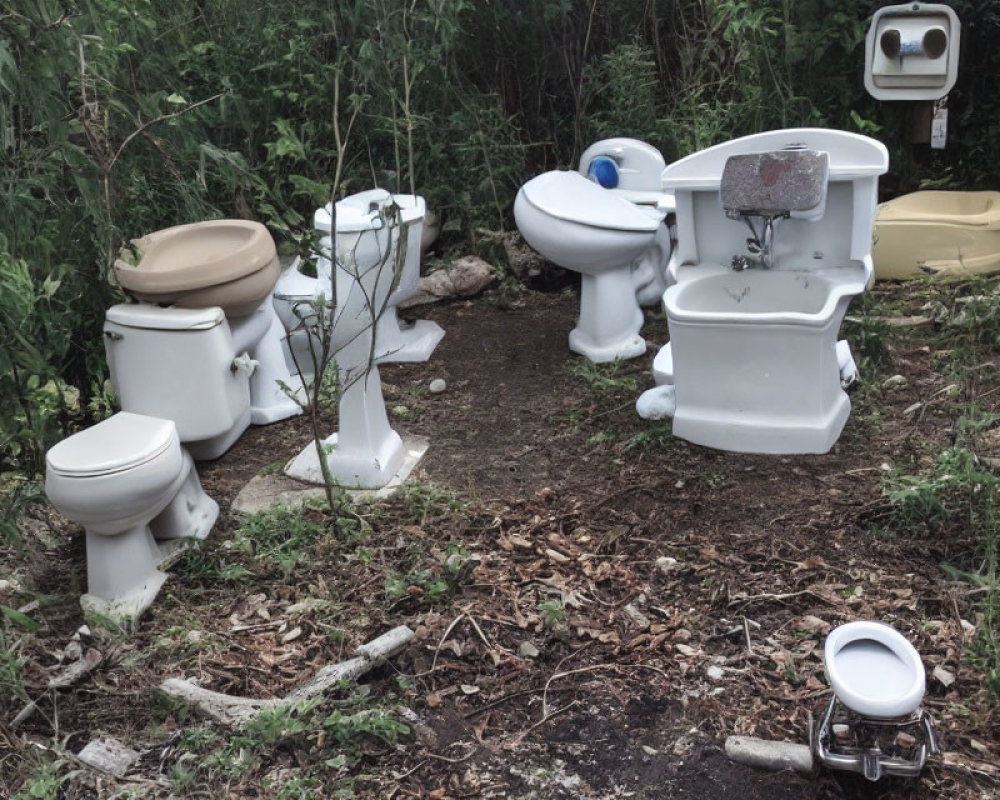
x=607, y=221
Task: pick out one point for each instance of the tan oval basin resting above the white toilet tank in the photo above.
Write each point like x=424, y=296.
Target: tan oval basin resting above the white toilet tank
x=228, y=263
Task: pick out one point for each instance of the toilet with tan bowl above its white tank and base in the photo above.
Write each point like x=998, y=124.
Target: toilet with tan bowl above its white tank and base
x=204, y=347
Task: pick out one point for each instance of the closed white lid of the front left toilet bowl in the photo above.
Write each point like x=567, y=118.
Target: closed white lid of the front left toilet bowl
x=120, y=442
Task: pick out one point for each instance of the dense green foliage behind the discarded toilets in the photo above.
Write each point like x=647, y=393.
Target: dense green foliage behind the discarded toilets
x=118, y=117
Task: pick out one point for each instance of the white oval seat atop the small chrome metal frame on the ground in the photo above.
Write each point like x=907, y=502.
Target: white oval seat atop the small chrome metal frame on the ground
x=874, y=670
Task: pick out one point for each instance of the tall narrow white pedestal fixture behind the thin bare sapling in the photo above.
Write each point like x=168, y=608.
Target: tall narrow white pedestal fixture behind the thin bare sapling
x=365, y=452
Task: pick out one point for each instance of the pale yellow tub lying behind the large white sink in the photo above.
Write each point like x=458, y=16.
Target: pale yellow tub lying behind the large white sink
x=951, y=234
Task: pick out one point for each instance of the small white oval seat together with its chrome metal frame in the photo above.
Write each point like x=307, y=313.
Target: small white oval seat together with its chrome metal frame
x=874, y=723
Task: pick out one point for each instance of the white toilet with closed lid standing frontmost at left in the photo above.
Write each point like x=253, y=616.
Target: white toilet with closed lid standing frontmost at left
x=134, y=490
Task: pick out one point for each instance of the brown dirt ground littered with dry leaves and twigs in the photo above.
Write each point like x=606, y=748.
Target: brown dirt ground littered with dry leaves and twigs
x=623, y=601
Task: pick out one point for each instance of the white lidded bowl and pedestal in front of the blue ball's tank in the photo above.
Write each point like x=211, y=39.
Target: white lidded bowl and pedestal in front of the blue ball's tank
x=577, y=224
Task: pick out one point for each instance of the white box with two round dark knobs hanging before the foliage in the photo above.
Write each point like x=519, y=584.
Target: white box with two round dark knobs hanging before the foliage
x=911, y=52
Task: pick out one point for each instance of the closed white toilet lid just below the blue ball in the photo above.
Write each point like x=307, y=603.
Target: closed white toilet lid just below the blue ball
x=572, y=197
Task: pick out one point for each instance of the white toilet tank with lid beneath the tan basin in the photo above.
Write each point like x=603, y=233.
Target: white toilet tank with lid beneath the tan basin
x=177, y=364
